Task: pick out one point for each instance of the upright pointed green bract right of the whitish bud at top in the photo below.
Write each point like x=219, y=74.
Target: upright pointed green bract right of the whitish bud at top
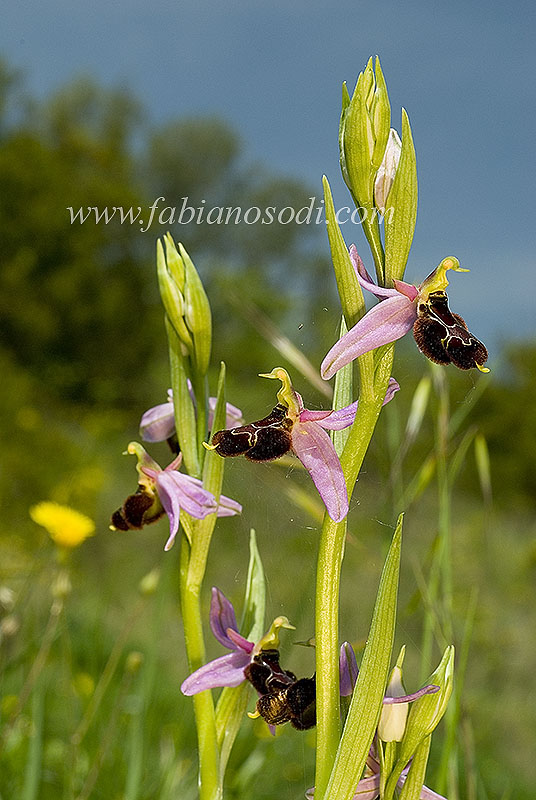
x=402, y=199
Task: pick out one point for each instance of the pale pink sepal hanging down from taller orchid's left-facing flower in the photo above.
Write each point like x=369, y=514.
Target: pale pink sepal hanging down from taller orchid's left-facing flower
x=315, y=450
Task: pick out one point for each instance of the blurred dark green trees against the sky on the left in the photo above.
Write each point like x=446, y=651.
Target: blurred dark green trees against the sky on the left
x=79, y=308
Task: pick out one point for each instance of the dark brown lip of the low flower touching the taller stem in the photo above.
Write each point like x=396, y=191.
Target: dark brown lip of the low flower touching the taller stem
x=283, y=697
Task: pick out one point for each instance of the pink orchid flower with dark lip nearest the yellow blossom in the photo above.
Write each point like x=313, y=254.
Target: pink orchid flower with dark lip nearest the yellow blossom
x=167, y=491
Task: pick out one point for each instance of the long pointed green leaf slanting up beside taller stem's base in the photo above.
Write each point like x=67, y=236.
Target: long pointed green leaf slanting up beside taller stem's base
x=369, y=690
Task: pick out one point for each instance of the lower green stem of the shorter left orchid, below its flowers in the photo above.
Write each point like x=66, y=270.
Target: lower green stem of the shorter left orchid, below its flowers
x=192, y=569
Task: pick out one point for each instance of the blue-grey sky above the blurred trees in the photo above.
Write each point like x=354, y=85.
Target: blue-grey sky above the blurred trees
x=465, y=71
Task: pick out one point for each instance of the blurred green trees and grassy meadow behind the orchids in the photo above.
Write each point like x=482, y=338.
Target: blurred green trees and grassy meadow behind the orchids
x=90, y=675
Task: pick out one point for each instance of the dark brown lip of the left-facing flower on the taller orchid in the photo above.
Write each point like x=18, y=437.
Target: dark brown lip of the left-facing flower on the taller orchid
x=264, y=440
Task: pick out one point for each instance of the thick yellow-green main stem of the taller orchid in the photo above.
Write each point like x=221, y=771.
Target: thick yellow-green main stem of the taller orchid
x=330, y=555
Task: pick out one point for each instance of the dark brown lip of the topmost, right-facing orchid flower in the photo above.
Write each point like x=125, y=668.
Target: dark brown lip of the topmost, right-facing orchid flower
x=444, y=338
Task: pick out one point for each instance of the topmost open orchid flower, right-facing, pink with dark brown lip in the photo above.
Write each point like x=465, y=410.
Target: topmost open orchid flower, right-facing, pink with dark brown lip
x=441, y=335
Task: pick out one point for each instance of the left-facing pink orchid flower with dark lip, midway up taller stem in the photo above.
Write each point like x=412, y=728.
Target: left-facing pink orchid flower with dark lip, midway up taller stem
x=290, y=427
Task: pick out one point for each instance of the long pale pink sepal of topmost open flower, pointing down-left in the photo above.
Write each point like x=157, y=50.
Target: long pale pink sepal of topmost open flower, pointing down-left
x=384, y=323
